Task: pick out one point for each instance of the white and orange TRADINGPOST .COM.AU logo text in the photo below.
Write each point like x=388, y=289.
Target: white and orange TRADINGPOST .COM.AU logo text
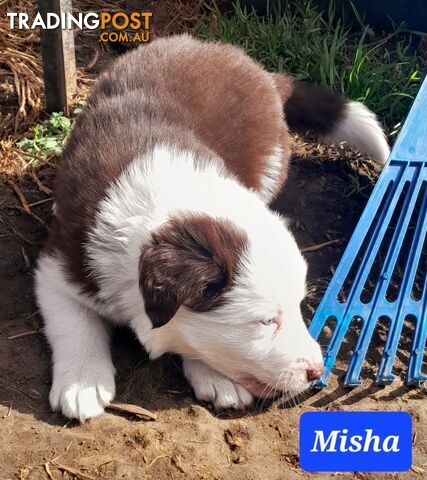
x=120, y=26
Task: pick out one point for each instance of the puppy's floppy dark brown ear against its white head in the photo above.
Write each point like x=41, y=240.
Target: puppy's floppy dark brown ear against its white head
x=190, y=261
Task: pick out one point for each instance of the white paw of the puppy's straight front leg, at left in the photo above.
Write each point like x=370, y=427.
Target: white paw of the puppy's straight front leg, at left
x=82, y=395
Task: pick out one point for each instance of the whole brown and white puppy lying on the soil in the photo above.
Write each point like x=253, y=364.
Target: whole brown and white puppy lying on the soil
x=162, y=223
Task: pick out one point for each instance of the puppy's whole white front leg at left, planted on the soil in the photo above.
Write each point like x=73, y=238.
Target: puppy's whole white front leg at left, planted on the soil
x=83, y=371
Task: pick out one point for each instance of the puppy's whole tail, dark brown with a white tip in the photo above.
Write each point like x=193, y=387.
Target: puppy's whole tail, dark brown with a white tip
x=332, y=118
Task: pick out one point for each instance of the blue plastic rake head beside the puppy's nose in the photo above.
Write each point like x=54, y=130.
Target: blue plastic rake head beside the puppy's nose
x=390, y=237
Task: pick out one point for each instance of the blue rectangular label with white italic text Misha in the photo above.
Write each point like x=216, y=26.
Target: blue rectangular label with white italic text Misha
x=355, y=441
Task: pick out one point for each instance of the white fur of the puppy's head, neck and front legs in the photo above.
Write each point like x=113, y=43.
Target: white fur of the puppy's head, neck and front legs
x=226, y=345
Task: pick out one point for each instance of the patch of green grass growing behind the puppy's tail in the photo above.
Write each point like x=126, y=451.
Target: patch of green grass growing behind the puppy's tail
x=299, y=39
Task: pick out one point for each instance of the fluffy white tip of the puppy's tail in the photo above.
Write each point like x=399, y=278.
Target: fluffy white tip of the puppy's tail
x=361, y=130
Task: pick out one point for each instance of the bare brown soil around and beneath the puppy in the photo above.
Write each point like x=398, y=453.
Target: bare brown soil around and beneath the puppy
x=188, y=440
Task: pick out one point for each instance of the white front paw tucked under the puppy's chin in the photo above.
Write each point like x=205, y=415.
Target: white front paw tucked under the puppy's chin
x=212, y=386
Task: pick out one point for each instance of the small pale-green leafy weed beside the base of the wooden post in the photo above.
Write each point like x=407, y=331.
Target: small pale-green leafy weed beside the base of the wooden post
x=47, y=138
